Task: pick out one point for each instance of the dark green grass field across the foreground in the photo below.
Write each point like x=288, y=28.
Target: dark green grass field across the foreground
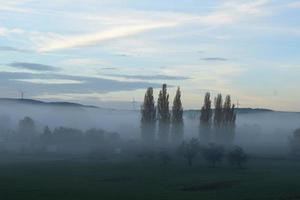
x=30, y=179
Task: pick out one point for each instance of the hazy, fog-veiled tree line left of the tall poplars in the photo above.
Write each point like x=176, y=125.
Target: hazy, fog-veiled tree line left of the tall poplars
x=27, y=138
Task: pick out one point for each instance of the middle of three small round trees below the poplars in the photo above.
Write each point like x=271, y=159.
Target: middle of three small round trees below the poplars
x=213, y=154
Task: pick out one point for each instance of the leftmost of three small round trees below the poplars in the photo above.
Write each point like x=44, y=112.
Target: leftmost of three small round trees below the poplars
x=189, y=150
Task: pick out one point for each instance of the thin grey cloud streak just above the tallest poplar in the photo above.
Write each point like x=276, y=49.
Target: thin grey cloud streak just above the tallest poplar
x=150, y=77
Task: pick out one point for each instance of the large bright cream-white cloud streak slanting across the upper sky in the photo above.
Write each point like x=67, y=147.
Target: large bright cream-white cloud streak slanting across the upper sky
x=132, y=22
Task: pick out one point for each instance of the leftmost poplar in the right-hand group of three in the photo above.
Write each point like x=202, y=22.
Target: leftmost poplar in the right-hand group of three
x=205, y=119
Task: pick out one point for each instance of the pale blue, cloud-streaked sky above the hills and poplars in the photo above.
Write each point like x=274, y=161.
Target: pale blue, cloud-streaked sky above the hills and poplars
x=107, y=52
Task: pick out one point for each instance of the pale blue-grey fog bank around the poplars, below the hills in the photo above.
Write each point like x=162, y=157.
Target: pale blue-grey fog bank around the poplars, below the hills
x=265, y=132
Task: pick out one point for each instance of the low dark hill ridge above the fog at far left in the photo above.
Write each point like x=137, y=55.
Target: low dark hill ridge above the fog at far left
x=37, y=102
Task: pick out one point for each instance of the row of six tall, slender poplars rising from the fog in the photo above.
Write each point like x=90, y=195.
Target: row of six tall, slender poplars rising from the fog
x=214, y=125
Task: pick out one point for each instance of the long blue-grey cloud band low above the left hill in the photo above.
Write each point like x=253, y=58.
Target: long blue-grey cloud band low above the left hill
x=36, y=84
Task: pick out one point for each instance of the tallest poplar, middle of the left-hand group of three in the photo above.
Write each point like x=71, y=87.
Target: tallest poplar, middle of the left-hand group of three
x=163, y=114
